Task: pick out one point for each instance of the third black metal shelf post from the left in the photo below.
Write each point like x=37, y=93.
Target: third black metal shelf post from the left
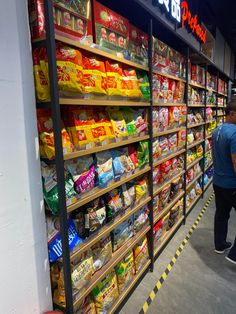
x=186, y=142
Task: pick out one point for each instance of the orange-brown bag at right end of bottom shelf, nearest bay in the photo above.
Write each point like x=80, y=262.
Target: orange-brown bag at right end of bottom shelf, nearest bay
x=140, y=254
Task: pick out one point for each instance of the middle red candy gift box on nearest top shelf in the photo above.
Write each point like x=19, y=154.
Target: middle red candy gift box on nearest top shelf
x=111, y=29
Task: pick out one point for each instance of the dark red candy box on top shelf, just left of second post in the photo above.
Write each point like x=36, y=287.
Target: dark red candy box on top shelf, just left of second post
x=138, y=45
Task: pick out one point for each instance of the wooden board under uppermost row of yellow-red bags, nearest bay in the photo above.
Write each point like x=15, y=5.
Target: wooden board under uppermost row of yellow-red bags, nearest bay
x=103, y=102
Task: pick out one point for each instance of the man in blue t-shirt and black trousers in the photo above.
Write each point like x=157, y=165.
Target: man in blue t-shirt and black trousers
x=224, y=181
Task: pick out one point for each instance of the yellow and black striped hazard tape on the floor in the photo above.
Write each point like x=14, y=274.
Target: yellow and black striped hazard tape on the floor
x=174, y=259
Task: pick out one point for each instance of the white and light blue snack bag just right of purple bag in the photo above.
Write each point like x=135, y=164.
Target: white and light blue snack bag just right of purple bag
x=104, y=168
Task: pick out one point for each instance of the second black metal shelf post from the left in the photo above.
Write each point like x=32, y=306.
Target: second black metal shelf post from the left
x=150, y=124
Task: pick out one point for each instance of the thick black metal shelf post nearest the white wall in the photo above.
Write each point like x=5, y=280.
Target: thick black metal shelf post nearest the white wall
x=59, y=160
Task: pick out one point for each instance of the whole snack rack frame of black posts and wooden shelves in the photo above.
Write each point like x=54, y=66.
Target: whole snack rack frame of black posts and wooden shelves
x=72, y=302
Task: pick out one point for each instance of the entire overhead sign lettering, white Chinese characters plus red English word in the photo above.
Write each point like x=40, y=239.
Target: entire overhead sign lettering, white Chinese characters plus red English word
x=179, y=11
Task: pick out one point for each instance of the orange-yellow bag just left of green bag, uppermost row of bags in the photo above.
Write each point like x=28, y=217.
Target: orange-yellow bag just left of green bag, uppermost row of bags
x=130, y=84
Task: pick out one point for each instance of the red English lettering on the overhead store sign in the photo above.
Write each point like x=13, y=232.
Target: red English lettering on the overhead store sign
x=192, y=22
